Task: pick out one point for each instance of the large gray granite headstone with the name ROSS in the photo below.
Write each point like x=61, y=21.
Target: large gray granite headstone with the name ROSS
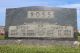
x=57, y=24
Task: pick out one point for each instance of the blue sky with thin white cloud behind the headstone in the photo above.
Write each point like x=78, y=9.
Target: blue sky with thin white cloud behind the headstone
x=24, y=3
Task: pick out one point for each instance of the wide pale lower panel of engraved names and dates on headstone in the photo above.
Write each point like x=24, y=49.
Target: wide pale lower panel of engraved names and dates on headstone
x=41, y=30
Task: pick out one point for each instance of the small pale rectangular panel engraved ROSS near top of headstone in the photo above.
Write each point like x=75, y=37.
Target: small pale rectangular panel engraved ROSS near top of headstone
x=40, y=14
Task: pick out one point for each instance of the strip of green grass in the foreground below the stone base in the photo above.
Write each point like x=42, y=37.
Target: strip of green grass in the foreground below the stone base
x=38, y=49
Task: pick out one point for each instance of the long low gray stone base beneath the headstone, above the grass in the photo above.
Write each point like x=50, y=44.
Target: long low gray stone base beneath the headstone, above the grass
x=42, y=42
